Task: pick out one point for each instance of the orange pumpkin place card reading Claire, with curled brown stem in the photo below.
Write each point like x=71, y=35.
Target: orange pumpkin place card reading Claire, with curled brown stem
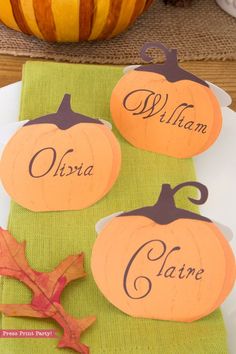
x=162, y=262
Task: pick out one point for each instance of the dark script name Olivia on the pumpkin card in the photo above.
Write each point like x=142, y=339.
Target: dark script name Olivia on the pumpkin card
x=57, y=165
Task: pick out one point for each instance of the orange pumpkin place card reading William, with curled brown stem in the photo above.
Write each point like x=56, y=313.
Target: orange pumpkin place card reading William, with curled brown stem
x=165, y=109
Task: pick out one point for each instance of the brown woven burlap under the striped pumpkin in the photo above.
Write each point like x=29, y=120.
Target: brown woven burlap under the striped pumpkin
x=202, y=31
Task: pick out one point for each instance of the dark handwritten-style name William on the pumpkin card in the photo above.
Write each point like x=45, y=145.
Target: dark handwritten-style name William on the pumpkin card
x=148, y=104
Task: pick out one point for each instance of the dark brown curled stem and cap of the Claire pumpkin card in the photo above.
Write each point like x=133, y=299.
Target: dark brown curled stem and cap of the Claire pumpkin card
x=165, y=211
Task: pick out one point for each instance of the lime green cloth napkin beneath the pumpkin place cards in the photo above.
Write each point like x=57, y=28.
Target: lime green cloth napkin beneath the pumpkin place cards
x=51, y=237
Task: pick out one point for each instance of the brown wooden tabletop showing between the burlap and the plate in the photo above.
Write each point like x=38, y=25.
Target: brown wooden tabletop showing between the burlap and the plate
x=221, y=73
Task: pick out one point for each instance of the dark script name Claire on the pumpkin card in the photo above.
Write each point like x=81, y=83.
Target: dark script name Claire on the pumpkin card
x=164, y=268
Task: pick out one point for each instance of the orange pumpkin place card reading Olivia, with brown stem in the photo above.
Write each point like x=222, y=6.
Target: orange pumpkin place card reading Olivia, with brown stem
x=62, y=161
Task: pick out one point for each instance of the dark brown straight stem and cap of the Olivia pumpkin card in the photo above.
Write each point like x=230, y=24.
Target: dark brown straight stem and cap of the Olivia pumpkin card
x=64, y=118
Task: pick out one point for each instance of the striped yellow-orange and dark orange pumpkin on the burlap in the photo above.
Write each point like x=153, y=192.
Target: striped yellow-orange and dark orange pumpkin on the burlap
x=71, y=20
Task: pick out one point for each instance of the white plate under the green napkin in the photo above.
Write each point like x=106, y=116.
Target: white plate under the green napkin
x=216, y=168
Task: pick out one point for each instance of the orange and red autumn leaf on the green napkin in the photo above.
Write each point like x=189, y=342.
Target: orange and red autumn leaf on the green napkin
x=47, y=289
